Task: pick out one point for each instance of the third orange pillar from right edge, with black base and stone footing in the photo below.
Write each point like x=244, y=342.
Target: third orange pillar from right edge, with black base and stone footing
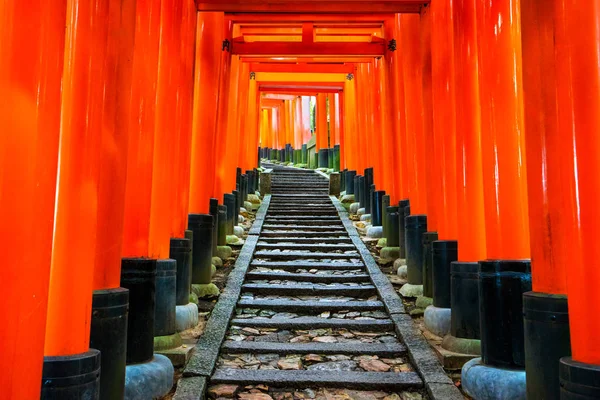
x=505, y=201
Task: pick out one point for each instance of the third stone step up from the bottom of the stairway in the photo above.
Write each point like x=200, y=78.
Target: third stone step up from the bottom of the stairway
x=302, y=323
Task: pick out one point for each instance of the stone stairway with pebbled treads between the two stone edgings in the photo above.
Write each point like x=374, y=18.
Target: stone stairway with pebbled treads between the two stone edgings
x=309, y=316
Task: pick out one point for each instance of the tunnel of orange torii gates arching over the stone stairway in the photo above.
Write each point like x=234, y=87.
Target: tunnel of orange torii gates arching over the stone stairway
x=125, y=134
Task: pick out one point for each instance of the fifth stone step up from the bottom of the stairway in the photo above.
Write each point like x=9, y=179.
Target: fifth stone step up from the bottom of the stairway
x=309, y=290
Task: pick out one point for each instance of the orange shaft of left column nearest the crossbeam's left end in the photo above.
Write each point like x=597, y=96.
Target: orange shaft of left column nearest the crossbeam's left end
x=205, y=106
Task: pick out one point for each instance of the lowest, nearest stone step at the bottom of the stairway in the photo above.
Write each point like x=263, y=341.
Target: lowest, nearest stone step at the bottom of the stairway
x=332, y=379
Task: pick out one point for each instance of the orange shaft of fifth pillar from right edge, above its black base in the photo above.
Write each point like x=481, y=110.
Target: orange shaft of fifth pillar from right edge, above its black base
x=443, y=193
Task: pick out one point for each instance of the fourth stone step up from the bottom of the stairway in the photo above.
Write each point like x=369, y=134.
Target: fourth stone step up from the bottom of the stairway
x=310, y=305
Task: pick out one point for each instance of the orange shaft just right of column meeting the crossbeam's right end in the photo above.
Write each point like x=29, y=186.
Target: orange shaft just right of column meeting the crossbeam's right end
x=413, y=92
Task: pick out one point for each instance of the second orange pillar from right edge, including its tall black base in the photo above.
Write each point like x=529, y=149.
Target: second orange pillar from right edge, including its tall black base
x=545, y=343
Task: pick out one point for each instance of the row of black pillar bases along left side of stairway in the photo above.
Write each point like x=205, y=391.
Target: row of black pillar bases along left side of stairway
x=125, y=320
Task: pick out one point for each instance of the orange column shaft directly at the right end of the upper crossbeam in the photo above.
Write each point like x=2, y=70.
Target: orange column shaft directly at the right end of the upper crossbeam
x=398, y=111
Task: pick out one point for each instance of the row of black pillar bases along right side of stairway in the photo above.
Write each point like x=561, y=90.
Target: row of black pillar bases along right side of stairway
x=490, y=300
